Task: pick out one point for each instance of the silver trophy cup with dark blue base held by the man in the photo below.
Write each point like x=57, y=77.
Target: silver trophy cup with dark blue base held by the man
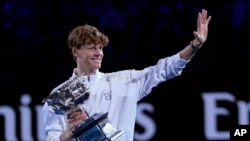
x=72, y=94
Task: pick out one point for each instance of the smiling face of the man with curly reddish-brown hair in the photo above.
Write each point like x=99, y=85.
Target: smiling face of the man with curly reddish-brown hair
x=89, y=57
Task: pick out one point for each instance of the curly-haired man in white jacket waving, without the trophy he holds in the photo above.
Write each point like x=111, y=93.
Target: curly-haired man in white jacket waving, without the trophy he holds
x=118, y=92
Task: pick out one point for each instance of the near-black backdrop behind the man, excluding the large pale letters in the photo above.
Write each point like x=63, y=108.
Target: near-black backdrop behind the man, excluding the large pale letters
x=34, y=56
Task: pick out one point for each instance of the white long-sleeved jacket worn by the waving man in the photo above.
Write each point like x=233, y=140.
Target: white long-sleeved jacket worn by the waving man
x=118, y=94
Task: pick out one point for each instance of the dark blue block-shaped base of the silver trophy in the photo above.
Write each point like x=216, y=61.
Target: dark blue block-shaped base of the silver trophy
x=97, y=128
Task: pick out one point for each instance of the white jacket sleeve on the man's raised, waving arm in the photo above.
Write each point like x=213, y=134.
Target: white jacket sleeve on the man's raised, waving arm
x=165, y=69
